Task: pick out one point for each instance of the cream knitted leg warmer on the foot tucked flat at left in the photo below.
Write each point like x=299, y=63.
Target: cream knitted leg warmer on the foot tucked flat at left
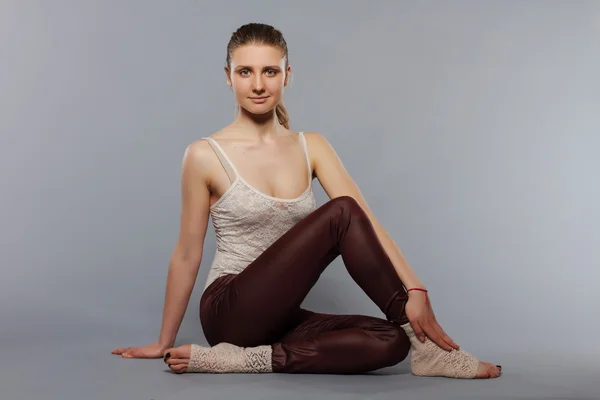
x=228, y=358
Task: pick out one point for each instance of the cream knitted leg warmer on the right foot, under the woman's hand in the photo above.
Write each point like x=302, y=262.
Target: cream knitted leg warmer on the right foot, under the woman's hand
x=428, y=359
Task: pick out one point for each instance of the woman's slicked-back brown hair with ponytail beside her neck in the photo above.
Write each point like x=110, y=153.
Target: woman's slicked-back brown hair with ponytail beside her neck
x=261, y=34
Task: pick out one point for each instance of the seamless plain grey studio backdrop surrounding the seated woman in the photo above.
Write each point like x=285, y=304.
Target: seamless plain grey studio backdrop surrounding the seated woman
x=471, y=127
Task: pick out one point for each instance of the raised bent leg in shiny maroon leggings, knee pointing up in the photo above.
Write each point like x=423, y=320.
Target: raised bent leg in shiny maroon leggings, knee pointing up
x=260, y=304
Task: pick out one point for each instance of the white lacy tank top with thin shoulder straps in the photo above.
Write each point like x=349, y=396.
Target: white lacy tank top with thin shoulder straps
x=247, y=221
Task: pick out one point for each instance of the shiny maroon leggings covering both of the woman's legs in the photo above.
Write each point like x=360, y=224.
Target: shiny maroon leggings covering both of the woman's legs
x=261, y=305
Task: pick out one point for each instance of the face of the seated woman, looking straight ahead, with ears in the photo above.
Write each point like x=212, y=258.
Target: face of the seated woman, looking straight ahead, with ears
x=258, y=76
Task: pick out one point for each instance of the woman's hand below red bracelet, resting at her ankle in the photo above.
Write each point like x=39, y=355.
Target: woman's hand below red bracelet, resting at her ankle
x=422, y=320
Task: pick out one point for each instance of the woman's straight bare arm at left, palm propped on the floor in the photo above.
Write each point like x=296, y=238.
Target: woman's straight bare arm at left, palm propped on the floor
x=187, y=255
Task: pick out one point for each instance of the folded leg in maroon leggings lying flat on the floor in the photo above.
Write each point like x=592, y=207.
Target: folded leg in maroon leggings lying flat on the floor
x=339, y=344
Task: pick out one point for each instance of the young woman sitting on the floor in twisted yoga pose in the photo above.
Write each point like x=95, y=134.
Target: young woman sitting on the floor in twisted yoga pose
x=254, y=177
